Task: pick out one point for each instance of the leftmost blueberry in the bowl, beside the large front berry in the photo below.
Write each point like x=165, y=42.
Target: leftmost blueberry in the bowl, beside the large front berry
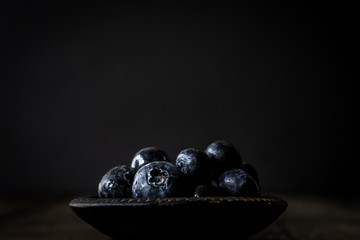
x=116, y=183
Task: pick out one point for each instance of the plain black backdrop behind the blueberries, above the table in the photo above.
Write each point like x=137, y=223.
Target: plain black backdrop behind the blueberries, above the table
x=84, y=86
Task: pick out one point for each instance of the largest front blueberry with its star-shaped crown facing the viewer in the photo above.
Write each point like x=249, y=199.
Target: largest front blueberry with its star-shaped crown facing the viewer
x=157, y=179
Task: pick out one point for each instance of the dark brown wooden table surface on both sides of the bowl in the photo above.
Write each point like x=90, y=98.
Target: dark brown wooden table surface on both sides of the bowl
x=307, y=217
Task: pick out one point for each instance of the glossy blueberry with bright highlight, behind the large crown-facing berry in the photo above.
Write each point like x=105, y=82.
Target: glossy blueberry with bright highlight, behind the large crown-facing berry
x=147, y=155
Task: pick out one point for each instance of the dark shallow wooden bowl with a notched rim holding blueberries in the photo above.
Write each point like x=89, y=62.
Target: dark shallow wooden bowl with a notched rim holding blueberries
x=179, y=218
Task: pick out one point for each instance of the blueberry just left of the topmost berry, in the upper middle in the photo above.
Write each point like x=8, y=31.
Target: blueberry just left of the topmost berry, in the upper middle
x=194, y=163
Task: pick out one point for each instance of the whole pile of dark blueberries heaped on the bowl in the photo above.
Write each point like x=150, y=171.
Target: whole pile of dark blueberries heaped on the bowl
x=217, y=171
